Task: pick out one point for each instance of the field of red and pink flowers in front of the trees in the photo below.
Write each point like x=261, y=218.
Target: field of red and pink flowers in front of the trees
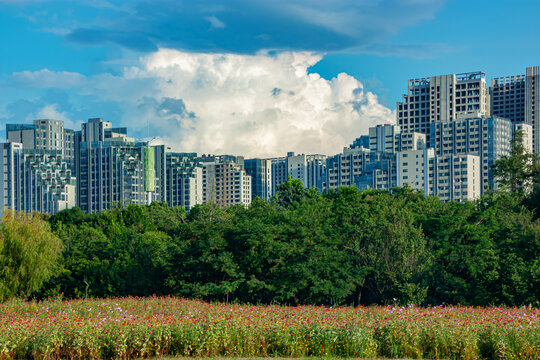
x=130, y=328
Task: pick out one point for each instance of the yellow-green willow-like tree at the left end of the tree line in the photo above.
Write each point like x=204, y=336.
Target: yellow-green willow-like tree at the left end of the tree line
x=28, y=254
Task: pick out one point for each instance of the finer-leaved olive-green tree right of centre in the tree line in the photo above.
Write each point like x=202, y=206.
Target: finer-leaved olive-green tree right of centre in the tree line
x=383, y=240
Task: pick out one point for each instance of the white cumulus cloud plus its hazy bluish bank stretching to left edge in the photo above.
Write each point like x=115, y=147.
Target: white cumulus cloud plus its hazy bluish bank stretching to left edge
x=253, y=105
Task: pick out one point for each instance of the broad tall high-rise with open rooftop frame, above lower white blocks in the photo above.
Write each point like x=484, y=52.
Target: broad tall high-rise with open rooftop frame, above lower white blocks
x=441, y=98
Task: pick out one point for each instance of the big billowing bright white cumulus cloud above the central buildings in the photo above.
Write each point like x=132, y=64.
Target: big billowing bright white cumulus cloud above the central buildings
x=258, y=105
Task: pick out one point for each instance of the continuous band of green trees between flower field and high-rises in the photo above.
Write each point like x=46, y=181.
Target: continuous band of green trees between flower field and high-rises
x=301, y=247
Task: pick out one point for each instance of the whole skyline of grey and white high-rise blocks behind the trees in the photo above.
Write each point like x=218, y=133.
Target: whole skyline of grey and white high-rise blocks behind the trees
x=450, y=129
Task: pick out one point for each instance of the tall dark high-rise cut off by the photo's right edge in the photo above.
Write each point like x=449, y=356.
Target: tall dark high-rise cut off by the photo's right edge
x=517, y=98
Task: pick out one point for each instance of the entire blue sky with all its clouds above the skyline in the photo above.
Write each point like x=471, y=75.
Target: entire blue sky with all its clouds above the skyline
x=253, y=78
